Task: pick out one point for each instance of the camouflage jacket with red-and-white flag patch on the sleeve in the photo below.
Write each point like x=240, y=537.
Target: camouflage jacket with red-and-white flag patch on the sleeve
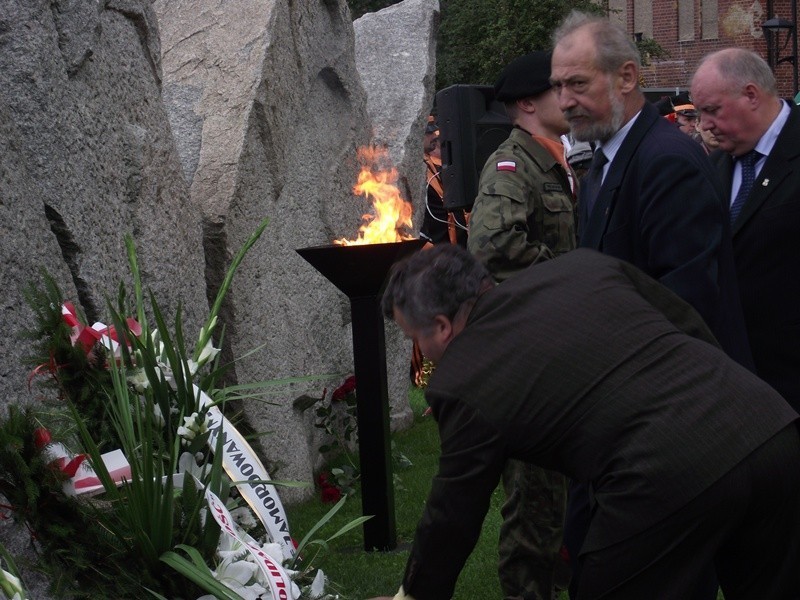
x=524, y=212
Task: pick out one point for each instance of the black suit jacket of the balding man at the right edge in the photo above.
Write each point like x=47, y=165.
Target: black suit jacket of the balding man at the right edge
x=766, y=244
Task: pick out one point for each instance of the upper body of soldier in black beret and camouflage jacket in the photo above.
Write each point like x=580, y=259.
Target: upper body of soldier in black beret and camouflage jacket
x=524, y=209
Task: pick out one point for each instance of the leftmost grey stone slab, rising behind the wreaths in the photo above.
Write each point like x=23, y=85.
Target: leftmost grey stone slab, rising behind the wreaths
x=86, y=156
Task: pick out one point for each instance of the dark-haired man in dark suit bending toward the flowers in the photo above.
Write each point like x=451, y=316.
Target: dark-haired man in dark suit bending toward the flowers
x=692, y=458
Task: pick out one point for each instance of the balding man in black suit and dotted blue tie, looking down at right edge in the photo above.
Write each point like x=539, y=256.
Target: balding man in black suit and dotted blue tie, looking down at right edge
x=759, y=164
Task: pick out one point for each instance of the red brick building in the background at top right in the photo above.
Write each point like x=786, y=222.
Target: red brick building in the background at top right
x=689, y=29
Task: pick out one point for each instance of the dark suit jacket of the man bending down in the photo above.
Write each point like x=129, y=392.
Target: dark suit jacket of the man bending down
x=583, y=365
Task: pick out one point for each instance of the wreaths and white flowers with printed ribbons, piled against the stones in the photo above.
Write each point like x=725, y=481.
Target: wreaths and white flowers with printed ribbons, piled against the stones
x=164, y=498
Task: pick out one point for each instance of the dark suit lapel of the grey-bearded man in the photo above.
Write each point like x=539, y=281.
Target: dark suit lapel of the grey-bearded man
x=597, y=223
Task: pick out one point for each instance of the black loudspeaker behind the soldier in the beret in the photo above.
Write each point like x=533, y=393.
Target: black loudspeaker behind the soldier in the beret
x=472, y=124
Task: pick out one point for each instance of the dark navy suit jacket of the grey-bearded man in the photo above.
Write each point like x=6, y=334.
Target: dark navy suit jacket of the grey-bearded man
x=661, y=208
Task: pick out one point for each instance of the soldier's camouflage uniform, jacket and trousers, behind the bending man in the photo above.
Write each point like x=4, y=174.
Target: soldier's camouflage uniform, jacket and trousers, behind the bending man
x=524, y=214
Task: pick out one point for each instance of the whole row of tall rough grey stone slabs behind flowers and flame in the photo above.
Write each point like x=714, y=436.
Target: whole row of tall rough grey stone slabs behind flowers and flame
x=185, y=123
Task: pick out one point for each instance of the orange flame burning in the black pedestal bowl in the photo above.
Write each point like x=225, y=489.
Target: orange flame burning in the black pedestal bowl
x=390, y=213
